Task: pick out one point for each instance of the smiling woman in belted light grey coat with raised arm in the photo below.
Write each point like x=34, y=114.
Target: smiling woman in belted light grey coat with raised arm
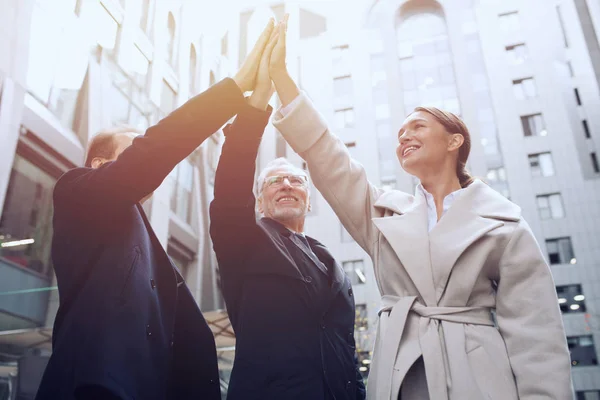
x=446, y=259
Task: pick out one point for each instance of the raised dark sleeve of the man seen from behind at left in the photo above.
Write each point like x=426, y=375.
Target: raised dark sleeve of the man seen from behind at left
x=142, y=167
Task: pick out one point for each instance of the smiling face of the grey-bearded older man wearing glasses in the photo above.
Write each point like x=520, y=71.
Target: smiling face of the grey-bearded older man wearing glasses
x=284, y=200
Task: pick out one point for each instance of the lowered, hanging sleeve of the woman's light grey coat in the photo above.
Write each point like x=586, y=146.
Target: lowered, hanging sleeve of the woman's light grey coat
x=530, y=321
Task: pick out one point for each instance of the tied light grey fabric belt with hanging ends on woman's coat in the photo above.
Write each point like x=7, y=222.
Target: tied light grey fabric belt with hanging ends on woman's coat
x=434, y=324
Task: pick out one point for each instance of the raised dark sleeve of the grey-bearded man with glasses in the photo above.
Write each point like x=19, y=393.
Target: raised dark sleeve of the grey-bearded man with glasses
x=233, y=228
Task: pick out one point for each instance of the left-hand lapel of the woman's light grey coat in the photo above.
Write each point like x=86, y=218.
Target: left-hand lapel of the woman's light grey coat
x=408, y=236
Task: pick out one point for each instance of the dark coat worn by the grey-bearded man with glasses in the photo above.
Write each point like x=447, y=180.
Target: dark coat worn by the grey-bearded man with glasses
x=287, y=345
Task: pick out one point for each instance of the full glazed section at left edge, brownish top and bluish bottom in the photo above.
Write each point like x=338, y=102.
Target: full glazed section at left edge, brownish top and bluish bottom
x=25, y=245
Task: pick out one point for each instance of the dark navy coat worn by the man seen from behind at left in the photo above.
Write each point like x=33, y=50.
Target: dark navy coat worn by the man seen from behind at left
x=124, y=323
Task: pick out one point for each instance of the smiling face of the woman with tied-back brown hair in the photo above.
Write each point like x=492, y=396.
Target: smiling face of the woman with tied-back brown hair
x=425, y=146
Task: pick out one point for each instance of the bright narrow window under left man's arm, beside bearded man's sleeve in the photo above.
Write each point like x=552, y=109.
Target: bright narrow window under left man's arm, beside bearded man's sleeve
x=182, y=182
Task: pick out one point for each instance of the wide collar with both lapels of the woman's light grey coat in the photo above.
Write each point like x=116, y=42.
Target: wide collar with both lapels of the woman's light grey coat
x=429, y=257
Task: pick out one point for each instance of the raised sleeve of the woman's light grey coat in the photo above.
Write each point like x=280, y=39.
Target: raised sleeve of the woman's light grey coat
x=340, y=179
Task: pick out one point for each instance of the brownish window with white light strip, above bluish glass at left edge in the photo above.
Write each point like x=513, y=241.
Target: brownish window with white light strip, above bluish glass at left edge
x=26, y=222
